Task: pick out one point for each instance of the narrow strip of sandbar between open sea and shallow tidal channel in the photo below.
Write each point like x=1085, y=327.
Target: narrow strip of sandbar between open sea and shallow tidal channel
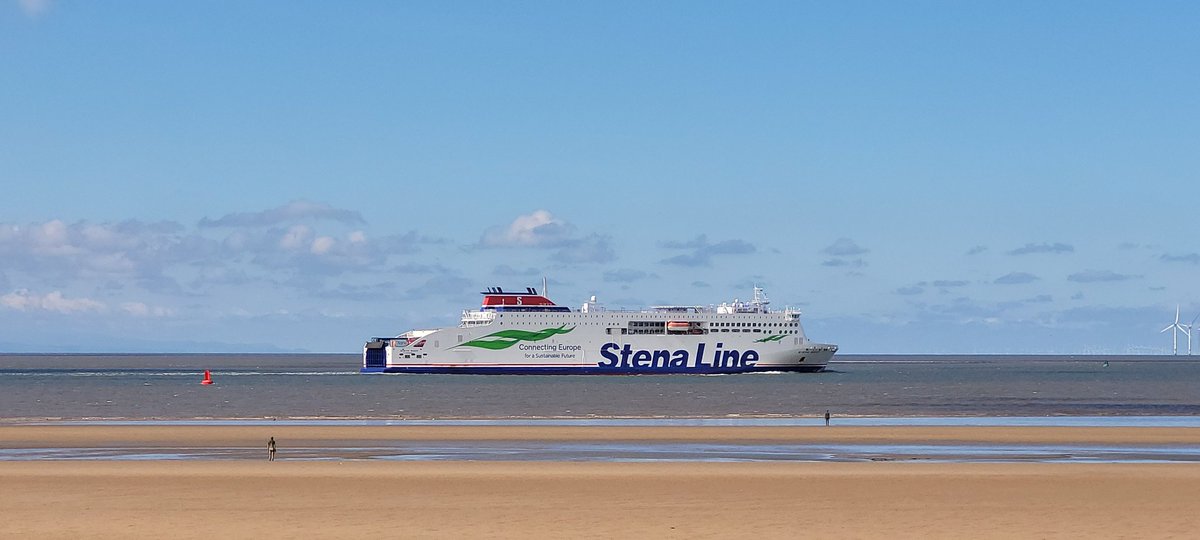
x=200, y=436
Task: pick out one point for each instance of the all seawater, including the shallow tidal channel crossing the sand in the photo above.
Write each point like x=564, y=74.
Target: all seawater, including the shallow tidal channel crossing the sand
x=866, y=391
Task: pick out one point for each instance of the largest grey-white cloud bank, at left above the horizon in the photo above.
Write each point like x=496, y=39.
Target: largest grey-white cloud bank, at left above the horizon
x=86, y=263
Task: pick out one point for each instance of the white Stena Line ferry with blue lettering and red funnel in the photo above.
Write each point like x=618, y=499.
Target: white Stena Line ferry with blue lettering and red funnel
x=525, y=333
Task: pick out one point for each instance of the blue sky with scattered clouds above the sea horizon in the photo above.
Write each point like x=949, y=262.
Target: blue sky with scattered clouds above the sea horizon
x=917, y=178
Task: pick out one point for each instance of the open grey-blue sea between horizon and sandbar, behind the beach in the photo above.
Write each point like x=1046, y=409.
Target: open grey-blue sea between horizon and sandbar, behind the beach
x=303, y=387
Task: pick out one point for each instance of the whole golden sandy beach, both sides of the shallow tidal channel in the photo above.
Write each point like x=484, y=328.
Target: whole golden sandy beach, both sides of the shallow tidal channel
x=245, y=499
